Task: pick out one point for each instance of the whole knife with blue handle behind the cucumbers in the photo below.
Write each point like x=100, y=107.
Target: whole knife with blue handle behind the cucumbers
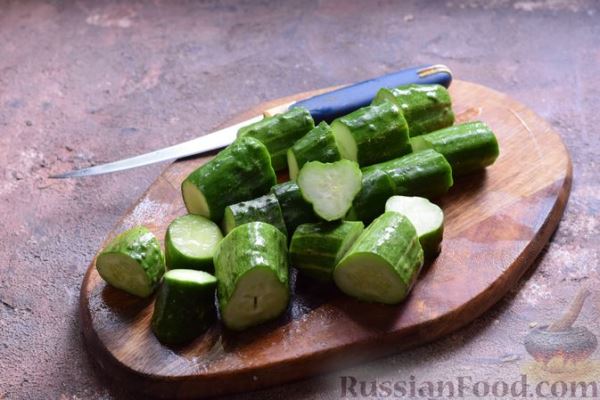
x=324, y=107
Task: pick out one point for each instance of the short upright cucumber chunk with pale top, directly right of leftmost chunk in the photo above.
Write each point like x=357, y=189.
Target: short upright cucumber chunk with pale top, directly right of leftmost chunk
x=190, y=243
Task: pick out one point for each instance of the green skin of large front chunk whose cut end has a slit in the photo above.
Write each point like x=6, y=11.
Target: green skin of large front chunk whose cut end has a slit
x=249, y=246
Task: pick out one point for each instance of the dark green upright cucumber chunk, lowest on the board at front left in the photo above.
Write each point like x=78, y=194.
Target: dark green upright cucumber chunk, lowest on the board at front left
x=185, y=306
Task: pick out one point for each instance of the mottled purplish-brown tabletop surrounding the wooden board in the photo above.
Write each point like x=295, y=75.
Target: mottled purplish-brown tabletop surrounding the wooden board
x=75, y=78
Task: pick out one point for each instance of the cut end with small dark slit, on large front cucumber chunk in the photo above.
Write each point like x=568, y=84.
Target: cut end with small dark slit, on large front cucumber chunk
x=258, y=297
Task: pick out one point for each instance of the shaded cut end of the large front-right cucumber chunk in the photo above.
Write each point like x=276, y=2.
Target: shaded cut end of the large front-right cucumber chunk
x=367, y=277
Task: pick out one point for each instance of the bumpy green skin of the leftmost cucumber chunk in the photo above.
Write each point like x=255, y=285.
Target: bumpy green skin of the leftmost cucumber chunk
x=142, y=246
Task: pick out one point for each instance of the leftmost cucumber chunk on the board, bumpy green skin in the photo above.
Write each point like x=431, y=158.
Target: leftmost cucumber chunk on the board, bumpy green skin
x=133, y=262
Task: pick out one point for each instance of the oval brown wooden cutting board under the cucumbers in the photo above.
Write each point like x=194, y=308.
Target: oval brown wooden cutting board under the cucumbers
x=496, y=224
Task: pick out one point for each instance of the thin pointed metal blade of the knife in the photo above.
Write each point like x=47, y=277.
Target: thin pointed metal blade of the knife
x=212, y=141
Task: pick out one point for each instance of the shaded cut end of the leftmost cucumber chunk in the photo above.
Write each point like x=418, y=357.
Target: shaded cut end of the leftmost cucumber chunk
x=123, y=272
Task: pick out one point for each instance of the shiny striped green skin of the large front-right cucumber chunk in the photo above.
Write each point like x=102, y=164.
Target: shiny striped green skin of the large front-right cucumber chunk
x=393, y=238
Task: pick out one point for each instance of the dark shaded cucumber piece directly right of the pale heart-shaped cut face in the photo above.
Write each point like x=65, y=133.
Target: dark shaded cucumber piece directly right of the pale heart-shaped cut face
x=369, y=203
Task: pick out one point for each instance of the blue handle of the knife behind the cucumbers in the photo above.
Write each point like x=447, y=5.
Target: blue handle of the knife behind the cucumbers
x=330, y=105
